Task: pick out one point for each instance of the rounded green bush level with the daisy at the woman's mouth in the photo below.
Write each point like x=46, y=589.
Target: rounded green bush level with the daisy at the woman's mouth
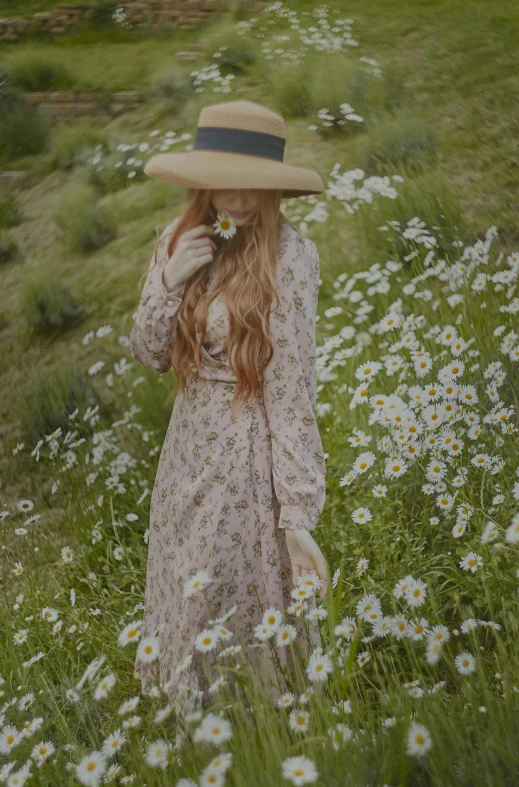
x=85, y=223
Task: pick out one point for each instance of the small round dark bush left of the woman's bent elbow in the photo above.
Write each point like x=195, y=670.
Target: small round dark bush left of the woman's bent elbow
x=47, y=304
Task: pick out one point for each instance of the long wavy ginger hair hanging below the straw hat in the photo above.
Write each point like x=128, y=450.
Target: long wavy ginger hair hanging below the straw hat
x=247, y=279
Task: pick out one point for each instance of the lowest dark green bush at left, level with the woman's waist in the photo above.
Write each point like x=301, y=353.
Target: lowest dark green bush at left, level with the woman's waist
x=52, y=399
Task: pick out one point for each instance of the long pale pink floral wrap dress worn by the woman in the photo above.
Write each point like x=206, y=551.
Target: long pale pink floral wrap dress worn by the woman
x=225, y=490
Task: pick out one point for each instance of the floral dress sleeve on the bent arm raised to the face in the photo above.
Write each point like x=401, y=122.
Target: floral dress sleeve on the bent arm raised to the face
x=155, y=321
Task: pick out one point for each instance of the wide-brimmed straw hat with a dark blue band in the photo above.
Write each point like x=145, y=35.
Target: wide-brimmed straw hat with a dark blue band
x=238, y=145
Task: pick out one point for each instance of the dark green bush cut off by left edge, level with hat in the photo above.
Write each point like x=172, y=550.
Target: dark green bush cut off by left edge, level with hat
x=23, y=131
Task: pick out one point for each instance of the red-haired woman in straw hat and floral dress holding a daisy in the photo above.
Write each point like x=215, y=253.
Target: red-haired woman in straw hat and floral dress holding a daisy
x=241, y=477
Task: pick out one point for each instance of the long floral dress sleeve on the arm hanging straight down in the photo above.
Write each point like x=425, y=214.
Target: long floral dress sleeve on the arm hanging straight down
x=289, y=388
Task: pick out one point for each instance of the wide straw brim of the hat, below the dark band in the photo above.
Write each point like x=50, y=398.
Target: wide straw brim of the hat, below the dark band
x=209, y=169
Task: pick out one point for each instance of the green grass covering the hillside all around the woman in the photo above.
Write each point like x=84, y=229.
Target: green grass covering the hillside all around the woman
x=457, y=67
